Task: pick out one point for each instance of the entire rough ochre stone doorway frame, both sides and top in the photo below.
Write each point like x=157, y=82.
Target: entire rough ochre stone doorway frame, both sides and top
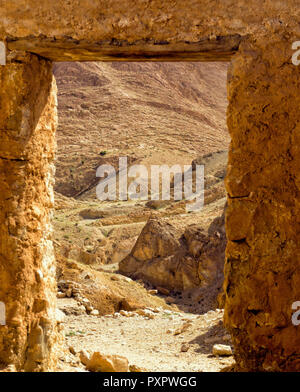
x=262, y=271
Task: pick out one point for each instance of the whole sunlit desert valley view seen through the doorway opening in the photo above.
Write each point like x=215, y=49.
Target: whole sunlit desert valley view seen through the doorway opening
x=140, y=279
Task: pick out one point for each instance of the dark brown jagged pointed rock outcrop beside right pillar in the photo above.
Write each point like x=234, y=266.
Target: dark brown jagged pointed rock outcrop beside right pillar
x=177, y=259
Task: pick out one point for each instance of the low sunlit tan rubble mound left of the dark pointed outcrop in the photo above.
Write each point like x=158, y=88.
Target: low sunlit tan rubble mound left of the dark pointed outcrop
x=104, y=292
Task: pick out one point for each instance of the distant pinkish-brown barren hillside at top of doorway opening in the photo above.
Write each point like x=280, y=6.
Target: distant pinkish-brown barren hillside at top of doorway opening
x=151, y=112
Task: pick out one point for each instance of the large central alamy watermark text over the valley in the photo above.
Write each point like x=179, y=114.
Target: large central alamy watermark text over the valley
x=160, y=179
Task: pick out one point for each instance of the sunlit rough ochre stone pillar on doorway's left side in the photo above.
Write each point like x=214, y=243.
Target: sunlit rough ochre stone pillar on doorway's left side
x=27, y=266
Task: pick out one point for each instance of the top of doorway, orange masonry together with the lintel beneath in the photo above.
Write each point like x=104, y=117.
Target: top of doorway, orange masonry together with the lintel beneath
x=141, y=29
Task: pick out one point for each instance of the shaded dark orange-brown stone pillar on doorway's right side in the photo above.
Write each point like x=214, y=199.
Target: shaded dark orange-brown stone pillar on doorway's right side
x=262, y=272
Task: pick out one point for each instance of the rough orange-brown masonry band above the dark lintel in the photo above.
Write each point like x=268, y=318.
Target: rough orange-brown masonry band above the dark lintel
x=143, y=19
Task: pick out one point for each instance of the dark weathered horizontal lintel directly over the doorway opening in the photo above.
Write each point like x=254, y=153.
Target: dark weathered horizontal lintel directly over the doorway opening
x=220, y=48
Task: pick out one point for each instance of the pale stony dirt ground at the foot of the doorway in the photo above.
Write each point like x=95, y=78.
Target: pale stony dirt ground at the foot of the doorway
x=168, y=341
